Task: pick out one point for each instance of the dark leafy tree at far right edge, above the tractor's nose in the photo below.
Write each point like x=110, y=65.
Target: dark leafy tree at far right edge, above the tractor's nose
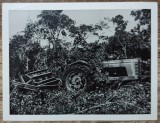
x=142, y=32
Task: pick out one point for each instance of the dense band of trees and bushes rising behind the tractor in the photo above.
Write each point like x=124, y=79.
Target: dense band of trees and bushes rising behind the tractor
x=55, y=28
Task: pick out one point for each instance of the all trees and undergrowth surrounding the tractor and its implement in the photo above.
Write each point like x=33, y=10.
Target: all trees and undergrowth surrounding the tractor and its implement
x=66, y=43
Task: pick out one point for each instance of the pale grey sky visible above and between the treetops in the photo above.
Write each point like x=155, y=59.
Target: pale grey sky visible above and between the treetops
x=19, y=18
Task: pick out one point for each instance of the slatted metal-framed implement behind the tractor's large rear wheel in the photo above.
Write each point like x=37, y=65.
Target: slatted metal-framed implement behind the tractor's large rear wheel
x=38, y=79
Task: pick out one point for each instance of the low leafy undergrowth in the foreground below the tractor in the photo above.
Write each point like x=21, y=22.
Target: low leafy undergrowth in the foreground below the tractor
x=126, y=98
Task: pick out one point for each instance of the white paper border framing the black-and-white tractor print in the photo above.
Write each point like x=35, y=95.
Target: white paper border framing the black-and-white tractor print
x=6, y=7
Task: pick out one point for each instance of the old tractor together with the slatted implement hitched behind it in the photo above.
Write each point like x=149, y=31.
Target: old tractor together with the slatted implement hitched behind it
x=80, y=75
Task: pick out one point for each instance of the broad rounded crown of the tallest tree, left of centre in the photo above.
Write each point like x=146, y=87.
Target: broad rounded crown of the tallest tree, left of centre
x=53, y=25
